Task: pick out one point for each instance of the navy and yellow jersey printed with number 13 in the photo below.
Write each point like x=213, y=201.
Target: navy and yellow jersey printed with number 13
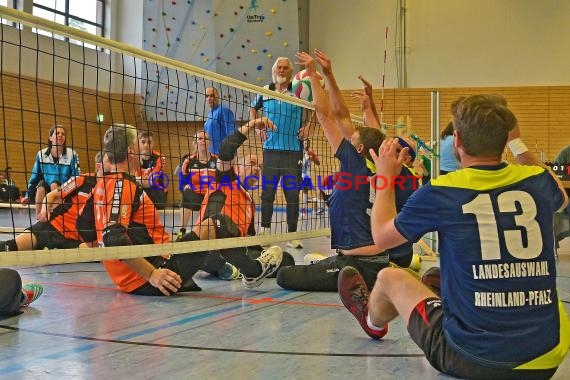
x=498, y=274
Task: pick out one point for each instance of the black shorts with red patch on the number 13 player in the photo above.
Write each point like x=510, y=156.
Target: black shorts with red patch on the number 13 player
x=426, y=329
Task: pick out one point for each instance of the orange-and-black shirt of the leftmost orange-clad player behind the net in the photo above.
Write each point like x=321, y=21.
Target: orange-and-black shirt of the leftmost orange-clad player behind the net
x=74, y=193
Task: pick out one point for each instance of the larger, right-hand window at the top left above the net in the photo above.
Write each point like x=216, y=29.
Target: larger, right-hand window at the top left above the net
x=86, y=15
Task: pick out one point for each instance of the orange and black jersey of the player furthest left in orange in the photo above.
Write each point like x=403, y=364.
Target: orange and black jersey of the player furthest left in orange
x=74, y=211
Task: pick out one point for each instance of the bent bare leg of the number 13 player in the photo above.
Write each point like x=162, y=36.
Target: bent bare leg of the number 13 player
x=396, y=292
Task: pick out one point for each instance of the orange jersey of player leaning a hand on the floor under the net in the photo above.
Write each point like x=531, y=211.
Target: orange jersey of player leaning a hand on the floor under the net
x=120, y=200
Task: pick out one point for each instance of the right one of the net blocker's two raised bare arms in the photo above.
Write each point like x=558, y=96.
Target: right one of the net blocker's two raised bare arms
x=338, y=107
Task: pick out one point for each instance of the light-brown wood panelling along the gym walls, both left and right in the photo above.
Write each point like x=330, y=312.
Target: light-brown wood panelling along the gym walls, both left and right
x=28, y=108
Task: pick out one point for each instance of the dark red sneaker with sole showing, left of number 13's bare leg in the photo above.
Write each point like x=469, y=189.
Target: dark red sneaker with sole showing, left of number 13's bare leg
x=354, y=294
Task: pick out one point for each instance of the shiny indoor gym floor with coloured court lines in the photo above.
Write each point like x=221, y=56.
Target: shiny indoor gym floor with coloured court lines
x=82, y=327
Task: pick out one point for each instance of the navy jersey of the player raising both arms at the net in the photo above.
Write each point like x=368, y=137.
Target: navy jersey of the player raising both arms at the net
x=351, y=201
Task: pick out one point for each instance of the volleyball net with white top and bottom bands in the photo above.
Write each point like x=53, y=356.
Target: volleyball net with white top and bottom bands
x=53, y=75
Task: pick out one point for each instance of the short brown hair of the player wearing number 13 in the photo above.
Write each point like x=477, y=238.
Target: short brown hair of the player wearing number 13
x=484, y=122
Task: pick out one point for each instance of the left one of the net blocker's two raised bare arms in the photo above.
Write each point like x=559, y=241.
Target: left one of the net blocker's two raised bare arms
x=321, y=102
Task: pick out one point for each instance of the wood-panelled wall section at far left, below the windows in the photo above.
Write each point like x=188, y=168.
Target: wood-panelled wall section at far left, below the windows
x=28, y=108
